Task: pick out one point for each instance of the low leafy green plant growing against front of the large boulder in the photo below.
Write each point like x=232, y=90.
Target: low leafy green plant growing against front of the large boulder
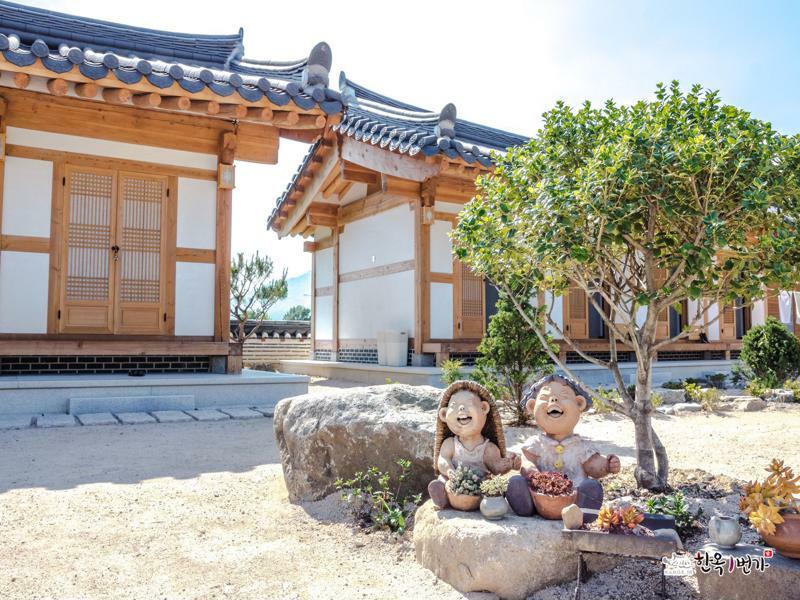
x=377, y=502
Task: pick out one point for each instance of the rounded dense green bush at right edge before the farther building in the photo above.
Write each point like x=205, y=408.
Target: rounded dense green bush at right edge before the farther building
x=771, y=352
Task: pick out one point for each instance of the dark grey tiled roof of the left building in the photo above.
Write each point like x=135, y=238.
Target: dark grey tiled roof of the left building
x=99, y=49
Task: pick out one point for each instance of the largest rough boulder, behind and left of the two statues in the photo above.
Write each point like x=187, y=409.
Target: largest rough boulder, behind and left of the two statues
x=323, y=437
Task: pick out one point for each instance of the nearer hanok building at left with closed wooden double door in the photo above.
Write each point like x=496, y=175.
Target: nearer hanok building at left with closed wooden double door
x=117, y=182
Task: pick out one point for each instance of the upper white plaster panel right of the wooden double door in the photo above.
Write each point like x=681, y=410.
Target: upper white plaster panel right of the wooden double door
x=197, y=213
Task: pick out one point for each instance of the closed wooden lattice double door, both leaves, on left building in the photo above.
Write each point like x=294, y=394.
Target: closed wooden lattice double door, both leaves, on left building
x=114, y=253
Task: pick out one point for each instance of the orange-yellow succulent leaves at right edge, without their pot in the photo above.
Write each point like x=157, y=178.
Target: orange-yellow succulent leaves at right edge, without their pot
x=764, y=501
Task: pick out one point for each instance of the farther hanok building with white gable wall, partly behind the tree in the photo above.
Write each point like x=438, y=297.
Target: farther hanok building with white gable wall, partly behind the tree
x=380, y=192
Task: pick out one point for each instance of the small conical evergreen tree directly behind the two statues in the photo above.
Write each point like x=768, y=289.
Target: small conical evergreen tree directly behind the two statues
x=511, y=357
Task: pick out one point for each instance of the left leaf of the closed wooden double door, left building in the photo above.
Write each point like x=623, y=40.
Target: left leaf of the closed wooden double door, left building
x=87, y=296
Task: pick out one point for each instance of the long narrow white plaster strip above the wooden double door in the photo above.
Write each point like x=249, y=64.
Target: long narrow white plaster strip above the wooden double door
x=84, y=145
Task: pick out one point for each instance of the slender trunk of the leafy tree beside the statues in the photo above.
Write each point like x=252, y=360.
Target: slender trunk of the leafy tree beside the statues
x=650, y=472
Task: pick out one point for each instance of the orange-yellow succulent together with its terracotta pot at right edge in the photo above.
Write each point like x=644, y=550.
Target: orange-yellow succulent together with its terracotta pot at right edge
x=772, y=507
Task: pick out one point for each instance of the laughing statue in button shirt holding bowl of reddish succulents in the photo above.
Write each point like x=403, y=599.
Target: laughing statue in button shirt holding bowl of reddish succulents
x=557, y=403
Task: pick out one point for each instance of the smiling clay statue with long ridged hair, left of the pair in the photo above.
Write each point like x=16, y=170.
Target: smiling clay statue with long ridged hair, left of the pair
x=469, y=433
